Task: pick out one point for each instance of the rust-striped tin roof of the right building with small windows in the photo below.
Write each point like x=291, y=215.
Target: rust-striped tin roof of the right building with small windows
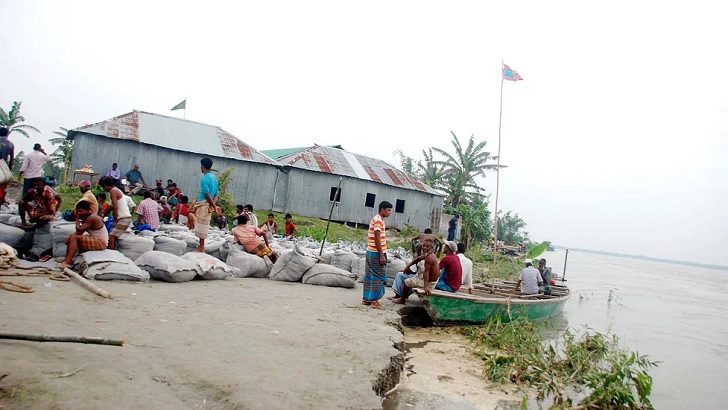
x=339, y=162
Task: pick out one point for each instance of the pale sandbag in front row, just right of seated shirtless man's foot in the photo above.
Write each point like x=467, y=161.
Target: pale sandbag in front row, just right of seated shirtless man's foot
x=109, y=265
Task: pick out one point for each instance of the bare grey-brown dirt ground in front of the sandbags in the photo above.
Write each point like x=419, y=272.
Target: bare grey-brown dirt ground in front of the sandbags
x=237, y=343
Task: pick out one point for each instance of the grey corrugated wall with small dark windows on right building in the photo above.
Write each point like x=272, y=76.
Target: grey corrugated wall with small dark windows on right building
x=309, y=194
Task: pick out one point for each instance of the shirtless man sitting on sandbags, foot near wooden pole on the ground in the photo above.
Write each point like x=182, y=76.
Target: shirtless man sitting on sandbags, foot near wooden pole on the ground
x=91, y=233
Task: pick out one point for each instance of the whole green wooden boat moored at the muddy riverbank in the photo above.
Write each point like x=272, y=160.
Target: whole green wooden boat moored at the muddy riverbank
x=447, y=308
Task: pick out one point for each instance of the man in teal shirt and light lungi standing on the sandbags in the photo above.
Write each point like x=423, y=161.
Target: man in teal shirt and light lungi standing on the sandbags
x=201, y=211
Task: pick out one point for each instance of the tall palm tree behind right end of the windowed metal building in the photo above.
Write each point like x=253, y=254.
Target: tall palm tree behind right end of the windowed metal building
x=460, y=170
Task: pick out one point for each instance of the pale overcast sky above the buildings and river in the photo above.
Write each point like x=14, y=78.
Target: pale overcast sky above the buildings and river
x=616, y=140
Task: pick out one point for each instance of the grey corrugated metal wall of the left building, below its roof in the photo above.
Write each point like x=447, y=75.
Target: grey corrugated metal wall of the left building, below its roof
x=252, y=182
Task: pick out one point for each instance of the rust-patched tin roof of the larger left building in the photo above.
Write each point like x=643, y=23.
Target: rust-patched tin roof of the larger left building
x=174, y=133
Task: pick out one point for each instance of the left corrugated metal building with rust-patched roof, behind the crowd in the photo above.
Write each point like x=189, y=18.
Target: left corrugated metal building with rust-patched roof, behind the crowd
x=171, y=148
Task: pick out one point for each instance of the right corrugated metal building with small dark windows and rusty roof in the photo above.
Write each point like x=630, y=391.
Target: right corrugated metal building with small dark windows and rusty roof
x=315, y=174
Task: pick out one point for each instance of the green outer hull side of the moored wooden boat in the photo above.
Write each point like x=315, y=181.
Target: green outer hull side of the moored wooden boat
x=451, y=309
